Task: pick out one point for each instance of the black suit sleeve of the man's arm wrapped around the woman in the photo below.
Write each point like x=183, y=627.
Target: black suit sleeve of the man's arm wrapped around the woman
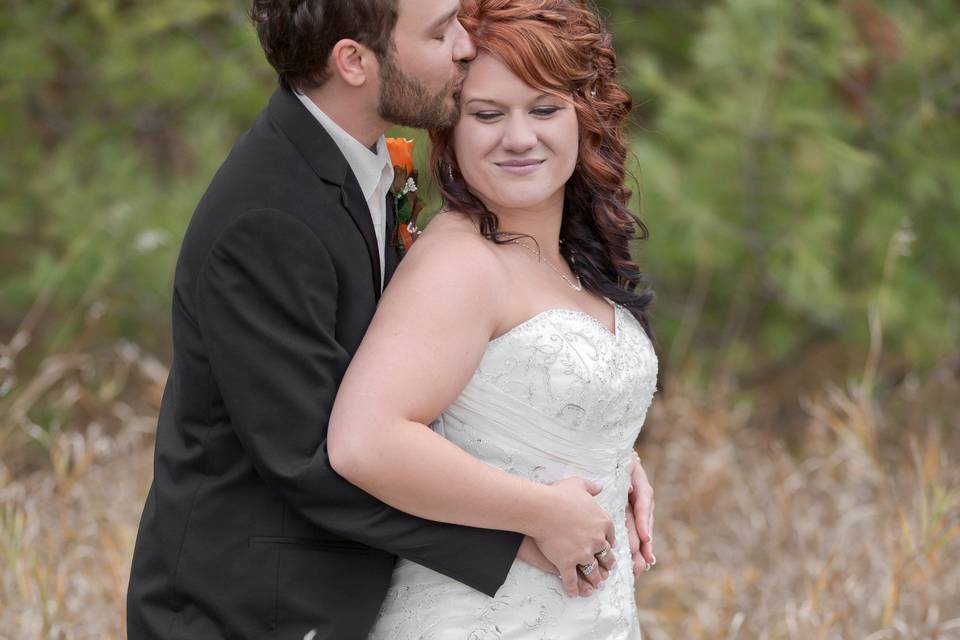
x=266, y=301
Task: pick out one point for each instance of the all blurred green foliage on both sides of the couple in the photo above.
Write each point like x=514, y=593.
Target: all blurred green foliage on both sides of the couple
x=798, y=165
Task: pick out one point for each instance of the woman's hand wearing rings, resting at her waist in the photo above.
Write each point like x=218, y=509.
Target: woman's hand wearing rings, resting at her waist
x=573, y=529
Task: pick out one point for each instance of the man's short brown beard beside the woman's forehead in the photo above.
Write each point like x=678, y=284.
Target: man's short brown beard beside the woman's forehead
x=408, y=103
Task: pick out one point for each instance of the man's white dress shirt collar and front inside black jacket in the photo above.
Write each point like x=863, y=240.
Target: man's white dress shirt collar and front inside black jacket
x=374, y=172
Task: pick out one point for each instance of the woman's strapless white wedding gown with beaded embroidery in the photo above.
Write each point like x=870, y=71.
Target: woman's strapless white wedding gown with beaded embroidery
x=556, y=396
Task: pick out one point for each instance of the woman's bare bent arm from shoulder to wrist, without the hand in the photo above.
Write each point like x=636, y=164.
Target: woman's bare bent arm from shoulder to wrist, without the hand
x=425, y=342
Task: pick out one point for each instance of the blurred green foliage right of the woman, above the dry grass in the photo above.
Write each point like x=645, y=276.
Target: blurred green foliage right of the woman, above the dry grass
x=800, y=171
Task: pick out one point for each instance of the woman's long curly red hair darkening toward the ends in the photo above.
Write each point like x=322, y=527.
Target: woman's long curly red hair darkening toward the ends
x=561, y=47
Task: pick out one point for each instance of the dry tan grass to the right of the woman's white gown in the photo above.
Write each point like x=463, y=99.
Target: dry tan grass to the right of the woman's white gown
x=856, y=535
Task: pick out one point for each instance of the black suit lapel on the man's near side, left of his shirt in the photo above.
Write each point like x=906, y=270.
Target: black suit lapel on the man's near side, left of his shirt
x=324, y=157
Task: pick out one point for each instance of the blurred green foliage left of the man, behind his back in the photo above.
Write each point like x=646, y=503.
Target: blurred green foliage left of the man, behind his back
x=114, y=116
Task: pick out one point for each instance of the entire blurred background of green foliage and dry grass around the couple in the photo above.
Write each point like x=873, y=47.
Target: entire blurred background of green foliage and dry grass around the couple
x=798, y=165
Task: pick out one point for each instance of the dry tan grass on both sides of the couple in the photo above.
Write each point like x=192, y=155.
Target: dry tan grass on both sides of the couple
x=856, y=534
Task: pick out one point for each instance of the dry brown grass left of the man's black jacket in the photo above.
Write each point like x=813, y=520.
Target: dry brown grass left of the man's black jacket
x=71, y=492
